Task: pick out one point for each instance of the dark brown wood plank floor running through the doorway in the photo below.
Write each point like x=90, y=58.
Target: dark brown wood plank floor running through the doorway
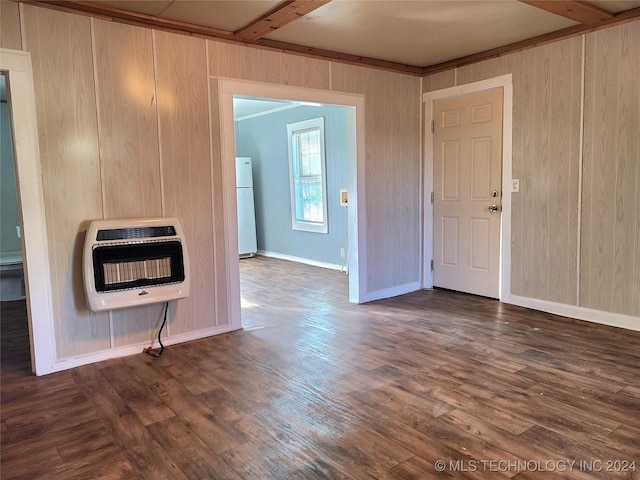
x=315, y=388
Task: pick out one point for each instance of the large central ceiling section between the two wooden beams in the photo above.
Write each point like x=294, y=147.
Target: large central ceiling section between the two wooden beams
x=418, y=33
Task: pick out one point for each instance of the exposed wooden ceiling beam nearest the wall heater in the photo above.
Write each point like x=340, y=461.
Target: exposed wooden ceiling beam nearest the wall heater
x=277, y=18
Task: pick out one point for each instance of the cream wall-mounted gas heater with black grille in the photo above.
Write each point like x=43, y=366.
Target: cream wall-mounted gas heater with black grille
x=134, y=261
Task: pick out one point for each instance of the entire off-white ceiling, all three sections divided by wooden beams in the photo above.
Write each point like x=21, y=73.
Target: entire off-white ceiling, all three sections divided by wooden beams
x=417, y=33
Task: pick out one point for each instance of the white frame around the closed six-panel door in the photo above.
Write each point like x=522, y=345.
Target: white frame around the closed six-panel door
x=428, y=99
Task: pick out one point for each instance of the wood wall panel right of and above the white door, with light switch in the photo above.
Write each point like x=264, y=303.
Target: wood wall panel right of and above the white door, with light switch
x=546, y=144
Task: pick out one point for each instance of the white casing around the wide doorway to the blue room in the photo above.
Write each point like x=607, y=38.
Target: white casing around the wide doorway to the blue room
x=356, y=226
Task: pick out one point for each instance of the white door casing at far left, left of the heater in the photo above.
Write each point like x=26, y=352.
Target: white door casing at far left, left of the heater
x=31, y=209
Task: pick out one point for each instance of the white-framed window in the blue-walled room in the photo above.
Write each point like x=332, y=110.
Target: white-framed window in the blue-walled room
x=308, y=175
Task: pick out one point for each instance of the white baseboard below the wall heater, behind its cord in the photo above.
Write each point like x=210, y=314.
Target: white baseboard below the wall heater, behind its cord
x=60, y=365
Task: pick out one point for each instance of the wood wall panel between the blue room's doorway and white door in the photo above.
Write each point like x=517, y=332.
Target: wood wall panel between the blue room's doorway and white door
x=392, y=119
